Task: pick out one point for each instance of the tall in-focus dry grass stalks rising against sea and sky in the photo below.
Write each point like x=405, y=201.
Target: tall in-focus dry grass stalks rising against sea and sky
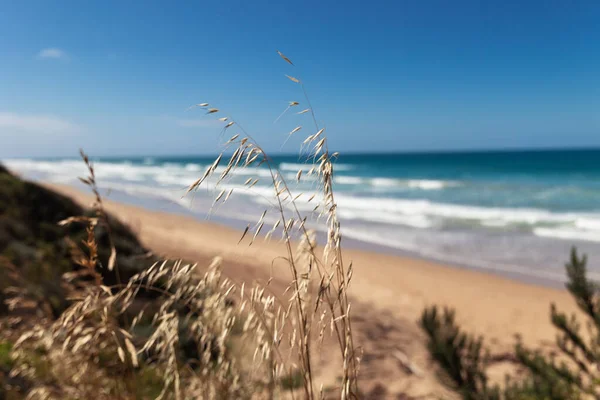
x=317, y=296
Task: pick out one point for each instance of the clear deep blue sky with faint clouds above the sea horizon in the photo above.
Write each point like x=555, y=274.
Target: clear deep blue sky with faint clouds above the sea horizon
x=116, y=77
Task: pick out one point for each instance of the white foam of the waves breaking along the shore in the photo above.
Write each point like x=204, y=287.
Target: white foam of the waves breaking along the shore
x=417, y=213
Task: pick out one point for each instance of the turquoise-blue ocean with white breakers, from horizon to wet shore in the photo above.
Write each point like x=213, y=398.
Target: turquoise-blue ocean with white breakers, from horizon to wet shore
x=516, y=213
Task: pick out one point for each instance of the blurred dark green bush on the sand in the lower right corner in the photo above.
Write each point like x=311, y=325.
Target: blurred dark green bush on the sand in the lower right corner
x=574, y=374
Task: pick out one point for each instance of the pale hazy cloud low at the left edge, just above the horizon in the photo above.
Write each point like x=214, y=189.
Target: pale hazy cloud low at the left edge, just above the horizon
x=36, y=124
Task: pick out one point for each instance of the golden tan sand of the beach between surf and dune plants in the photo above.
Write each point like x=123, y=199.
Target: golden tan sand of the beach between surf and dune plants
x=389, y=292
